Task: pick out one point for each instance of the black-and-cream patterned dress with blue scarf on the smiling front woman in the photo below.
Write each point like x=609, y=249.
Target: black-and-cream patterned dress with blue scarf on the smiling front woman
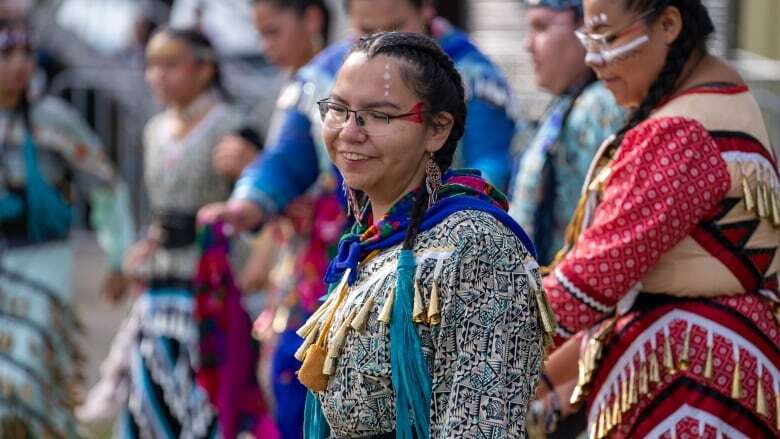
x=474, y=326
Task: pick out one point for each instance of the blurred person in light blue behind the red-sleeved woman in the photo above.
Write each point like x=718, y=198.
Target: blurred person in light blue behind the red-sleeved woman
x=552, y=165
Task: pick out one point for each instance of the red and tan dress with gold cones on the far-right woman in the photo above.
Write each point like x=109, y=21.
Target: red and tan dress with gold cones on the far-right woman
x=679, y=251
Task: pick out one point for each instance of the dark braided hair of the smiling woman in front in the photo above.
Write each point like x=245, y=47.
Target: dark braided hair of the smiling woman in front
x=432, y=76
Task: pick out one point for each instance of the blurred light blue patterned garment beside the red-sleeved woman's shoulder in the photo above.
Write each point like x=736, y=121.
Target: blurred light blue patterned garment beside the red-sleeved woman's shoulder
x=551, y=167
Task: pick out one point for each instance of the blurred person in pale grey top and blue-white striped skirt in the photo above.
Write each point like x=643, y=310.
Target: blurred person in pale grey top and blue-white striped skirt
x=164, y=400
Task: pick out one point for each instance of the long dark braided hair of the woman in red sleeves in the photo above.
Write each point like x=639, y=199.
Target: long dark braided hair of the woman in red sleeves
x=696, y=29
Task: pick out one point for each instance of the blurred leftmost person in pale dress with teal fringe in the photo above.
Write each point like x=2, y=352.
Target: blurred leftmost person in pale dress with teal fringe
x=48, y=154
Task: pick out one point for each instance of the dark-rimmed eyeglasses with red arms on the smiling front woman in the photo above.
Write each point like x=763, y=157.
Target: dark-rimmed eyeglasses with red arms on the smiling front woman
x=335, y=116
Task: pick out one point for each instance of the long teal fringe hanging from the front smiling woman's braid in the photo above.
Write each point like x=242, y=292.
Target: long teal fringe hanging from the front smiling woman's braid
x=411, y=379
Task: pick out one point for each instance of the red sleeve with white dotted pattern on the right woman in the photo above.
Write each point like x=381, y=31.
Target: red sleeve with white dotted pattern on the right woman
x=667, y=176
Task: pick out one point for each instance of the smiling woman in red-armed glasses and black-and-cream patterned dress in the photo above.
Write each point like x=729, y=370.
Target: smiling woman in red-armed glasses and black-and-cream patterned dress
x=435, y=320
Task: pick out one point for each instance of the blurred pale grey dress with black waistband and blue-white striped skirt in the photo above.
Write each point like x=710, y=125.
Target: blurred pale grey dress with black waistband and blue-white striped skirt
x=164, y=399
